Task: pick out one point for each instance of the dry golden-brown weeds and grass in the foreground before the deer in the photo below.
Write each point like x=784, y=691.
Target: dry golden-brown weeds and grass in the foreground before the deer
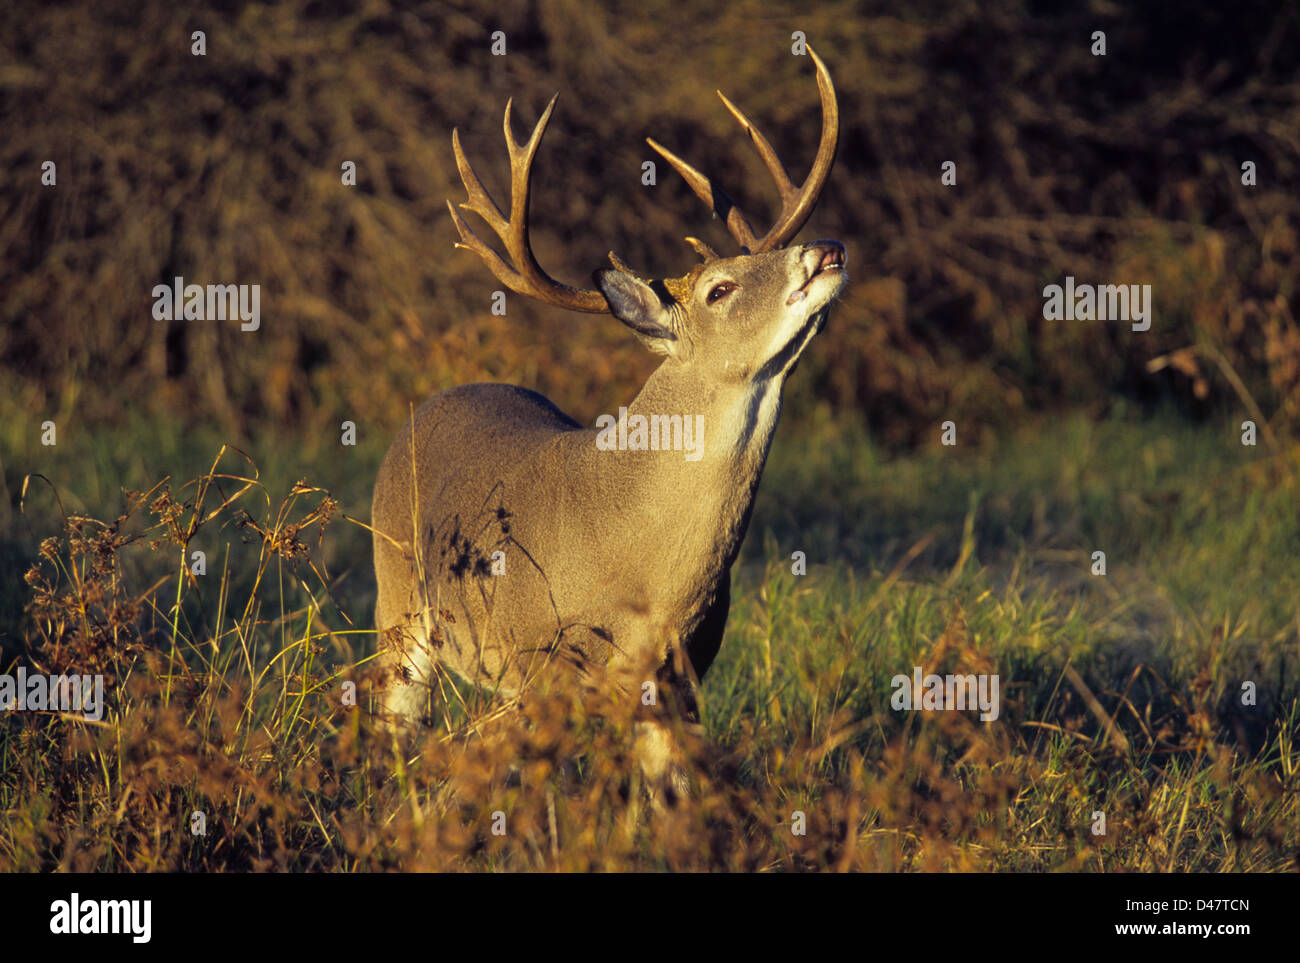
x=244, y=719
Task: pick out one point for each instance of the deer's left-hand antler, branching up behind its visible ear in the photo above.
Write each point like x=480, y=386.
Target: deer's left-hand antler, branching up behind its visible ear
x=523, y=275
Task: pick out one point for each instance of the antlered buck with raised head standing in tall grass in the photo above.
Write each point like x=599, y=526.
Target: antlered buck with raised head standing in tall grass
x=510, y=545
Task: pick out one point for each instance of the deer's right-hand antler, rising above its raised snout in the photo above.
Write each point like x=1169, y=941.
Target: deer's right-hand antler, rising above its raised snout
x=798, y=203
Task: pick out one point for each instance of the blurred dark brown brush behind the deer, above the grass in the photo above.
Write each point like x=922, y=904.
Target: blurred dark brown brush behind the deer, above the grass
x=226, y=168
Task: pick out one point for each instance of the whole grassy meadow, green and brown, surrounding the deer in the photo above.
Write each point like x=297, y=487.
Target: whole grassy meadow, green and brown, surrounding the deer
x=1120, y=693
